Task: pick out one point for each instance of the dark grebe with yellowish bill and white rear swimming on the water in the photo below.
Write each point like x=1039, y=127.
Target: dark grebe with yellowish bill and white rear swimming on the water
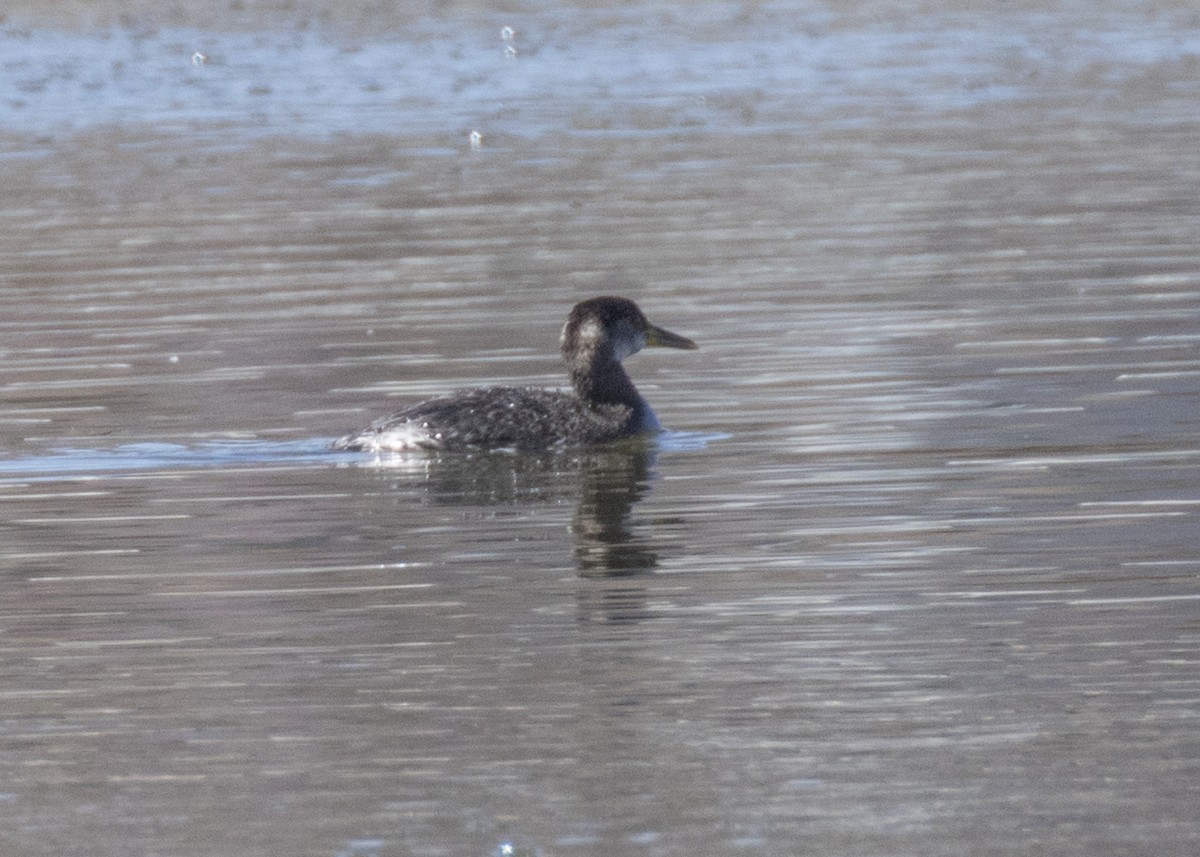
x=603, y=406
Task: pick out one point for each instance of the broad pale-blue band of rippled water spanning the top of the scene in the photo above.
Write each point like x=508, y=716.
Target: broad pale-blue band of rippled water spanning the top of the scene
x=449, y=77
